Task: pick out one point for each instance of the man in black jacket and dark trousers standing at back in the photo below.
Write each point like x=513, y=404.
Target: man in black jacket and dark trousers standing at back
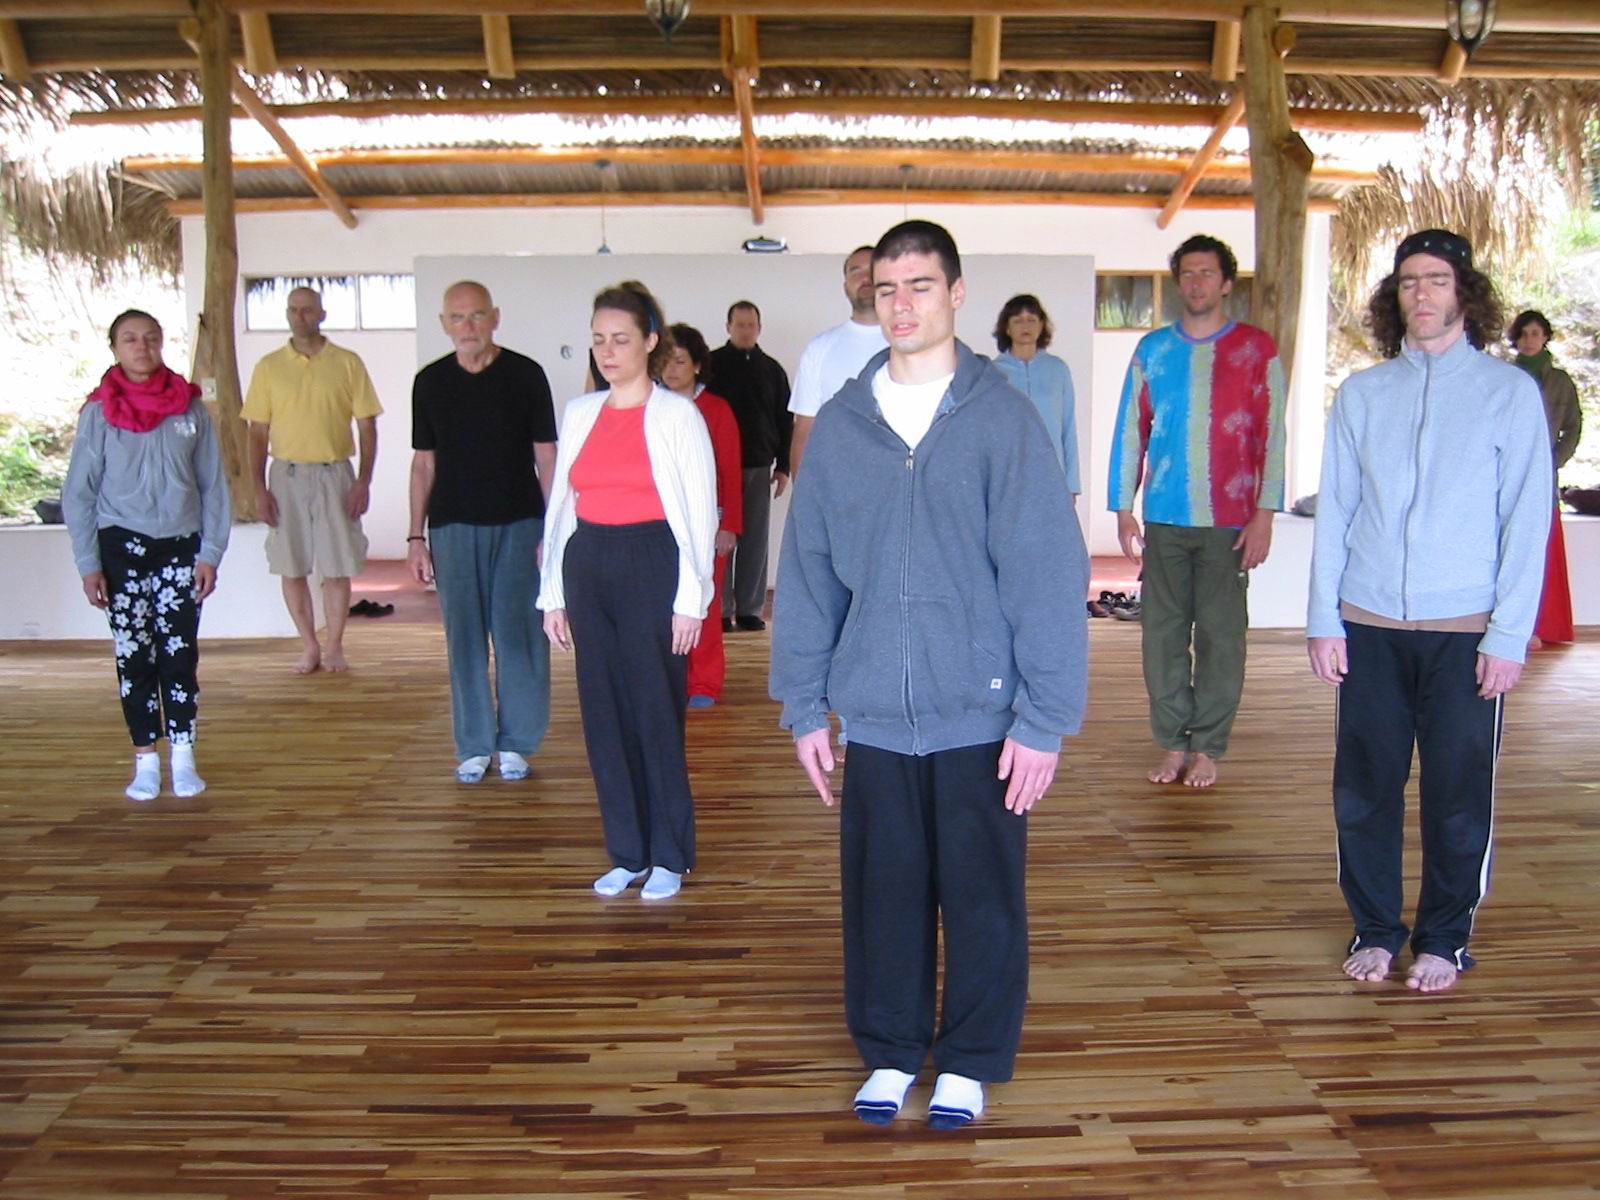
x=756, y=386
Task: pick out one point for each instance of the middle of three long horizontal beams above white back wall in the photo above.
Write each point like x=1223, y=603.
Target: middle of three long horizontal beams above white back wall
x=940, y=158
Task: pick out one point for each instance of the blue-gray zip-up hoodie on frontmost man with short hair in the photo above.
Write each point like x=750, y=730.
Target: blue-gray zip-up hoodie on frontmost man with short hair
x=935, y=596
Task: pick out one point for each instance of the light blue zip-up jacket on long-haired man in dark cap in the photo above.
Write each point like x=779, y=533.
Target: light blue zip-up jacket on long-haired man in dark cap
x=1436, y=497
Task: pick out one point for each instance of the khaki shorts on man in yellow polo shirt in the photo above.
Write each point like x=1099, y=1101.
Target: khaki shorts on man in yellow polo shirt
x=313, y=532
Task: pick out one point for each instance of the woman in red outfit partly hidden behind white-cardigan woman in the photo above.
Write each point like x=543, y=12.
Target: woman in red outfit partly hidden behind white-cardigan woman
x=686, y=367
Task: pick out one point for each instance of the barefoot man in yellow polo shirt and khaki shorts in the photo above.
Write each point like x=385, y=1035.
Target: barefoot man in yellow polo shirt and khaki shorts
x=300, y=407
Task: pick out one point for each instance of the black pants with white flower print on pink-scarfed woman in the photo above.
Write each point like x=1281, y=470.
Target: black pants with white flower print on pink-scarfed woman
x=154, y=628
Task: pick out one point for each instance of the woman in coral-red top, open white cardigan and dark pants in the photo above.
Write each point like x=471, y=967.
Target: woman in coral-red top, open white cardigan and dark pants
x=628, y=577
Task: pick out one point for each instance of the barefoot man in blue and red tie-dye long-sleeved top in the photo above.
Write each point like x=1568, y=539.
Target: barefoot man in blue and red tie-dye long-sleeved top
x=1201, y=426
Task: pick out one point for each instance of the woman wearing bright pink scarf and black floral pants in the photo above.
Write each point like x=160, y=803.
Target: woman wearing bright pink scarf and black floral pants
x=148, y=508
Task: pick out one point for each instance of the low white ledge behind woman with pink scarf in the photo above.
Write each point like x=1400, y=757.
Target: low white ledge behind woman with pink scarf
x=42, y=596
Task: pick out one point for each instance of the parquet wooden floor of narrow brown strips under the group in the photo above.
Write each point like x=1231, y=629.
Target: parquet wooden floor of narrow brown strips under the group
x=342, y=975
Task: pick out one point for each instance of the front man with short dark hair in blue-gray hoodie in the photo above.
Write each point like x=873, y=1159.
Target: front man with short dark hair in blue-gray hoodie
x=932, y=593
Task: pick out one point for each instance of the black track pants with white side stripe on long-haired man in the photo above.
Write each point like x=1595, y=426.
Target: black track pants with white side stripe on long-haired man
x=1415, y=689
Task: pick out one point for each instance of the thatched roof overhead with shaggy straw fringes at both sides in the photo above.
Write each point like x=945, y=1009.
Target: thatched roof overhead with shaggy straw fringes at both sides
x=1508, y=121
